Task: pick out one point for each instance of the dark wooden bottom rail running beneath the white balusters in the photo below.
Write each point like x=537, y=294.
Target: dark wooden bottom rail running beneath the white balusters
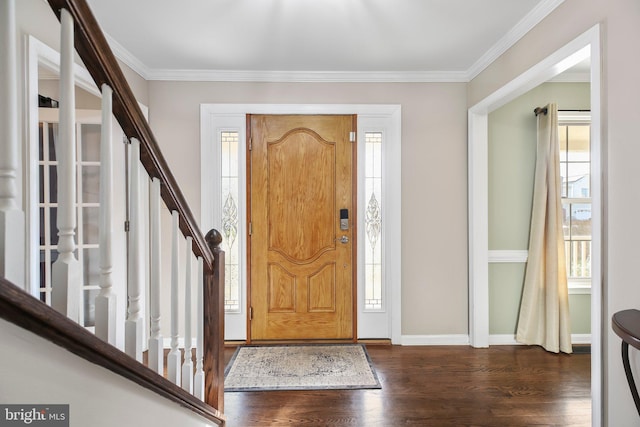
x=20, y=308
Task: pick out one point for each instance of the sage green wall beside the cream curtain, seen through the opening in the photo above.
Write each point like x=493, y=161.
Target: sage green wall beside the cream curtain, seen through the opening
x=512, y=156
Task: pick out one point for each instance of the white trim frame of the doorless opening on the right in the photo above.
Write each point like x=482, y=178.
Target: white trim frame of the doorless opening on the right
x=584, y=46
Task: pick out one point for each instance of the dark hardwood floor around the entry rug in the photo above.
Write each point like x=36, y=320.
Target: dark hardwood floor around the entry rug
x=437, y=386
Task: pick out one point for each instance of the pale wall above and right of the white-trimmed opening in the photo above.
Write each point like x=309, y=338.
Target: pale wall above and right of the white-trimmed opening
x=620, y=25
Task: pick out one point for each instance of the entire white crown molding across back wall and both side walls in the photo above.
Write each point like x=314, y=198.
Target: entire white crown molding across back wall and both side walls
x=533, y=18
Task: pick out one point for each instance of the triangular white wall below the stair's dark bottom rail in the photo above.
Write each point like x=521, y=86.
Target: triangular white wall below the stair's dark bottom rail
x=35, y=371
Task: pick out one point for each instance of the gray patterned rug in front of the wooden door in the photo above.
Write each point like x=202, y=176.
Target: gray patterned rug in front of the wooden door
x=300, y=367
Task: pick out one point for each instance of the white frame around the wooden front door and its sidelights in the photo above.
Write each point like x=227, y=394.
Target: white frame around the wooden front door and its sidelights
x=385, y=118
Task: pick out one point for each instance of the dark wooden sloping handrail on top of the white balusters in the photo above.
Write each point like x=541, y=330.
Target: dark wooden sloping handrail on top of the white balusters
x=93, y=48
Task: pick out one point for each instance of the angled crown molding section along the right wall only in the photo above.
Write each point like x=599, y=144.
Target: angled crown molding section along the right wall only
x=532, y=19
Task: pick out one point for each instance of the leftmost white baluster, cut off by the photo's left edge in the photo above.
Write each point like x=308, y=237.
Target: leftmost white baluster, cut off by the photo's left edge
x=12, y=259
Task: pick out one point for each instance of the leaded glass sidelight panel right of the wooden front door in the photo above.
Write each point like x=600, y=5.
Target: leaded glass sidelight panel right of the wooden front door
x=374, y=283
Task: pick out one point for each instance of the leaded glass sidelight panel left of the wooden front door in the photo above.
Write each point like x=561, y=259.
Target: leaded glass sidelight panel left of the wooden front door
x=229, y=142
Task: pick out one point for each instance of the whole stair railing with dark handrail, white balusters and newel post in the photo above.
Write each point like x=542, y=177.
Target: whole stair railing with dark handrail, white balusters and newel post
x=81, y=33
